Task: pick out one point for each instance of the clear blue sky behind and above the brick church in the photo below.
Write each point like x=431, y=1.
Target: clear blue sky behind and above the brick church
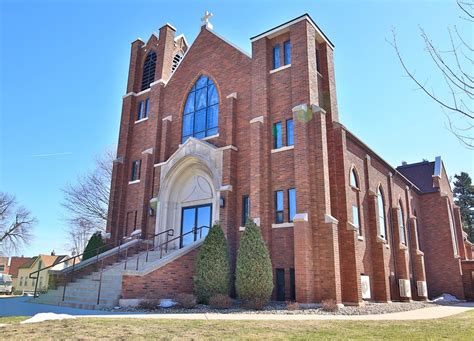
x=64, y=67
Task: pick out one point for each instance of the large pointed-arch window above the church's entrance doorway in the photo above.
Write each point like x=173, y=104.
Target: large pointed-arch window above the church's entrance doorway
x=201, y=111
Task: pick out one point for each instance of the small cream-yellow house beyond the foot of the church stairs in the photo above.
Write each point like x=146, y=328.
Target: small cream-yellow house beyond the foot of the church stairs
x=26, y=284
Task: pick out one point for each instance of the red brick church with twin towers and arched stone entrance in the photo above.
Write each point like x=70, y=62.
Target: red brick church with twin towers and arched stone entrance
x=210, y=133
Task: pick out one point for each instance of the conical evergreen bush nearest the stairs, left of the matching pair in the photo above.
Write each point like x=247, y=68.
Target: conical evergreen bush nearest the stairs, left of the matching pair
x=213, y=266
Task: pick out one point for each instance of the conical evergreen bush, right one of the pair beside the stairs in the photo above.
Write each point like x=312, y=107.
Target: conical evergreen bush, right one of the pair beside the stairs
x=254, y=274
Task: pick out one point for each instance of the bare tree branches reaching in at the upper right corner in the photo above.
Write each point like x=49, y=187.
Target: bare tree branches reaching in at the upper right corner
x=455, y=66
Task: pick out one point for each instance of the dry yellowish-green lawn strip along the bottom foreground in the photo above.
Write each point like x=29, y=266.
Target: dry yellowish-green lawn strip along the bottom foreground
x=459, y=327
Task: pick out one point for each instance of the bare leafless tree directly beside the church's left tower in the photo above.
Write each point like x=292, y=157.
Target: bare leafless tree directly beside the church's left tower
x=87, y=201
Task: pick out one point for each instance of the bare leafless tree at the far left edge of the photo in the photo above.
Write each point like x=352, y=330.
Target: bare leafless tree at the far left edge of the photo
x=16, y=224
